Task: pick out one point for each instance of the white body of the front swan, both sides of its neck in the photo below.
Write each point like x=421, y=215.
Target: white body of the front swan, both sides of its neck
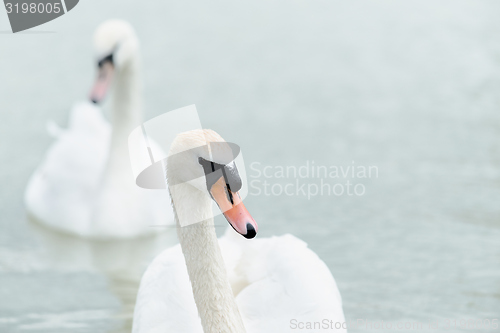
x=275, y=280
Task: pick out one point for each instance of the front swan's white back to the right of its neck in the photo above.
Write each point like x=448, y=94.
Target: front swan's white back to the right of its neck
x=287, y=283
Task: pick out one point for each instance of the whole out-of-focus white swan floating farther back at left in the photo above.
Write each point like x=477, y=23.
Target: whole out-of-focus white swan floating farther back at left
x=85, y=184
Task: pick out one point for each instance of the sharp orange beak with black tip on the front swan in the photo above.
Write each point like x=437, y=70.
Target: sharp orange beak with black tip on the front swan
x=233, y=209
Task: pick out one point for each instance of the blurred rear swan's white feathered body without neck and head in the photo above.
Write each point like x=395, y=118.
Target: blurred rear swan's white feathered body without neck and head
x=69, y=191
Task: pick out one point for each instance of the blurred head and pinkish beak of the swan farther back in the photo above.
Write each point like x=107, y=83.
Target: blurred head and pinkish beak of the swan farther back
x=116, y=47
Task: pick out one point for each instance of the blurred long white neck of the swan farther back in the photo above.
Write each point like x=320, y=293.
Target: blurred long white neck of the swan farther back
x=125, y=116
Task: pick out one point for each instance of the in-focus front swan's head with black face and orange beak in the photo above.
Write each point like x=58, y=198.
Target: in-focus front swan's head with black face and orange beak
x=204, y=160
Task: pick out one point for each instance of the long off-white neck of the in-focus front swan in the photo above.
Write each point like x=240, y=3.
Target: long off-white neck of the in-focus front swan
x=211, y=288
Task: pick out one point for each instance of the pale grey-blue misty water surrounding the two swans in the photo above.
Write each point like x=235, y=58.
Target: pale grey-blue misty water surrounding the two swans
x=412, y=87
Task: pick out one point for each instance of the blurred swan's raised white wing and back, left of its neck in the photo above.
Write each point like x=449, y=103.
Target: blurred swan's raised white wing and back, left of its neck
x=62, y=186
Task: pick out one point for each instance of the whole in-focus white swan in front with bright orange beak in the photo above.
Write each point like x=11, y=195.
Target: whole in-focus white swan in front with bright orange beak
x=237, y=285
